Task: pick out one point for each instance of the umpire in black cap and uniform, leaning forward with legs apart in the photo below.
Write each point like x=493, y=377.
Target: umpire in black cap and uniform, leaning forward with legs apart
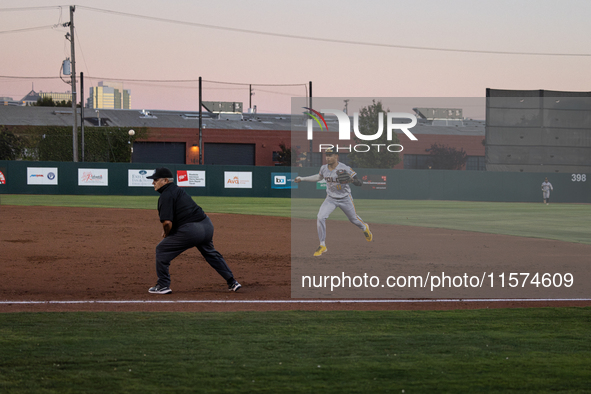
x=185, y=225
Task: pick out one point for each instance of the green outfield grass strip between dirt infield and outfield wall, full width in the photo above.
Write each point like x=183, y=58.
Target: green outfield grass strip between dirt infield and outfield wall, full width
x=564, y=222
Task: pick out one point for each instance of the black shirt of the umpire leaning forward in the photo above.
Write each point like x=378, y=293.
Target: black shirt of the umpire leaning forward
x=178, y=207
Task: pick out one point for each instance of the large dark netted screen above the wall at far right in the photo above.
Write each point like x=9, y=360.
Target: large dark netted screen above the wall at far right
x=538, y=131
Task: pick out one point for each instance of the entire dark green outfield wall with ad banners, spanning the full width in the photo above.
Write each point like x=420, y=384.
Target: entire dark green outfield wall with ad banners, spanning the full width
x=68, y=178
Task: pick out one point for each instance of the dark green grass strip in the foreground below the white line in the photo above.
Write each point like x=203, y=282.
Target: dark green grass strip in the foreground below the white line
x=516, y=350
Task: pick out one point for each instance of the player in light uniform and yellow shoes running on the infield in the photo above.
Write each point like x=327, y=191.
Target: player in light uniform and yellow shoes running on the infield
x=337, y=195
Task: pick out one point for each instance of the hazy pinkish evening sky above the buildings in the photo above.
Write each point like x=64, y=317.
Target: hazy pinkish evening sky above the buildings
x=113, y=46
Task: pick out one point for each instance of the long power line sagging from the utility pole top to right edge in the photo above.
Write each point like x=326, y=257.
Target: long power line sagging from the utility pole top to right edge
x=334, y=41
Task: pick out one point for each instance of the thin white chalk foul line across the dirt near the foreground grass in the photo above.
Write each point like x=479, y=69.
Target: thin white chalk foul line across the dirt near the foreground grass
x=297, y=301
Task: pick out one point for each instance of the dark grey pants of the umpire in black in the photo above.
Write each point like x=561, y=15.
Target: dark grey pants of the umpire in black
x=189, y=235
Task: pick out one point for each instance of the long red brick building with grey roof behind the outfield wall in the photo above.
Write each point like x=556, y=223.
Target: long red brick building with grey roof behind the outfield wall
x=247, y=139
